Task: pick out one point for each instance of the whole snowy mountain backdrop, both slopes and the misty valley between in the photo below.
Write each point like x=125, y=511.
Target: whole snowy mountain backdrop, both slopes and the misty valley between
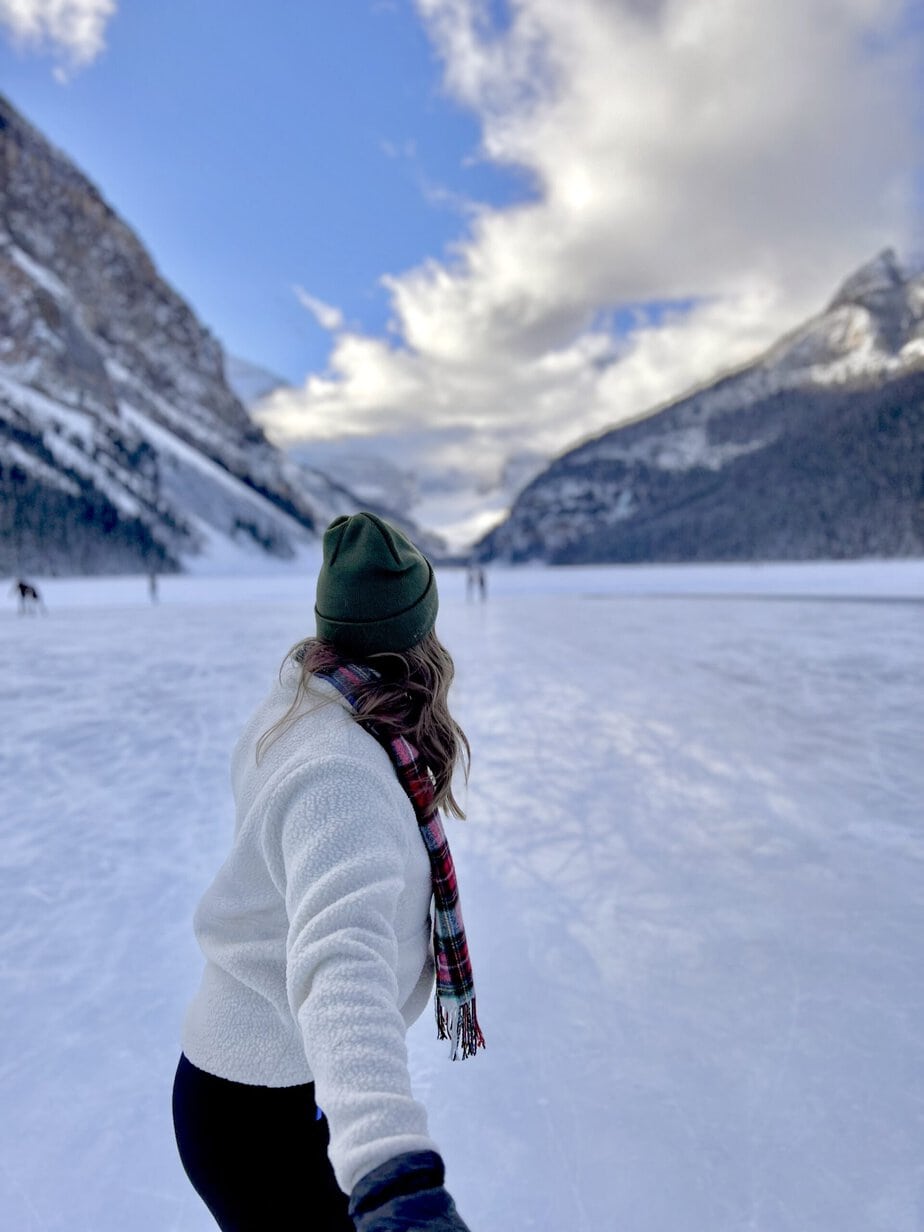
x=126, y=444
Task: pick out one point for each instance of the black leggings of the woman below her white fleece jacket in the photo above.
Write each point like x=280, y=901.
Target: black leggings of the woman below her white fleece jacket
x=257, y=1156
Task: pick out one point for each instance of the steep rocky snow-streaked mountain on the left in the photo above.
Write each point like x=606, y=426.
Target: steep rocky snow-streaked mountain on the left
x=123, y=445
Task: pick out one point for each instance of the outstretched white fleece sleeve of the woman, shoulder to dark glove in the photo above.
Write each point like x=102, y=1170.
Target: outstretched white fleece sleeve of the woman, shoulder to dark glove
x=343, y=847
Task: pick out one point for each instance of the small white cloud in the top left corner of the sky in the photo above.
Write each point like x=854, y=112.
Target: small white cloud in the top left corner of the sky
x=73, y=28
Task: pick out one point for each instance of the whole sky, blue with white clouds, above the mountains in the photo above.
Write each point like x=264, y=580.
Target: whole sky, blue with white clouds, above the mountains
x=475, y=230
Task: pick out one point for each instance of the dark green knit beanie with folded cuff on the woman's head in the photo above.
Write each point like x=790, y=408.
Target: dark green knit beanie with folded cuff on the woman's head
x=375, y=591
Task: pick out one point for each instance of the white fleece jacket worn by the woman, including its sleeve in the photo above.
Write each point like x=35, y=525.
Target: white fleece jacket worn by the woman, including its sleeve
x=317, y=930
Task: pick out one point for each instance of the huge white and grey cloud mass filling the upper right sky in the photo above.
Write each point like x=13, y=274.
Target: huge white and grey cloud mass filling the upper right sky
x=746, y=157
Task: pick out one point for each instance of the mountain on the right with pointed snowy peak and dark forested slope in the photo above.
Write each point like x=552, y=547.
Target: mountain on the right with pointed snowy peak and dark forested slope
x=814, y=450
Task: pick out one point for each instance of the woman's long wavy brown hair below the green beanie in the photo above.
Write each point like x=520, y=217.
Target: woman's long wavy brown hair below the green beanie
x=410, y=698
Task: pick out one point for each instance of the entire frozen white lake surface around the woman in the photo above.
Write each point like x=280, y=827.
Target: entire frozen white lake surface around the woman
x=693, y=878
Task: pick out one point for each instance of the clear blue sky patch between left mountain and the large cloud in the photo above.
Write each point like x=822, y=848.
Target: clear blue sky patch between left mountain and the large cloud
x=252, y=156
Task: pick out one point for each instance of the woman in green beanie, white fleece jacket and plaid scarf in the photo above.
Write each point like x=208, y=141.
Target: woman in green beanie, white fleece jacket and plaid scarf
x=327, y=922
